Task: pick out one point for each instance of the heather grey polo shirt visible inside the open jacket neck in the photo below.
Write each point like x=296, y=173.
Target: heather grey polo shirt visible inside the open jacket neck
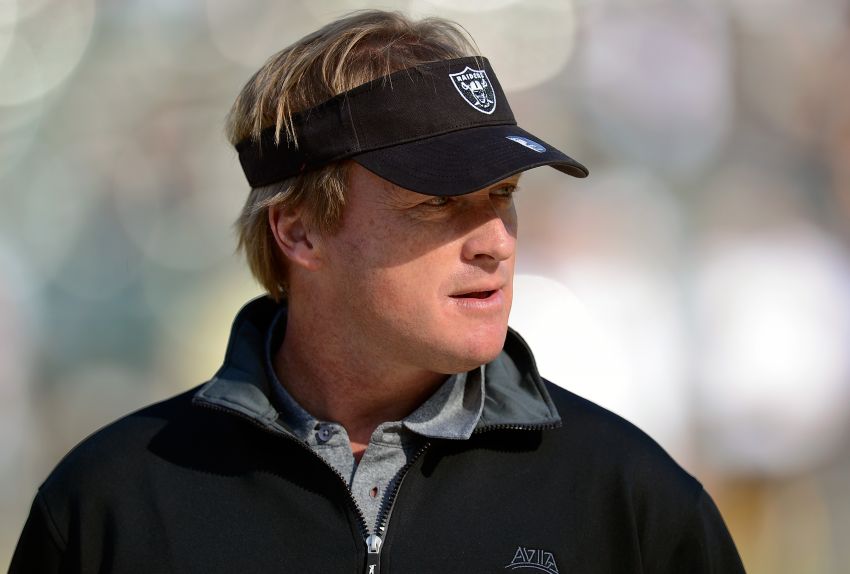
x=452, y=412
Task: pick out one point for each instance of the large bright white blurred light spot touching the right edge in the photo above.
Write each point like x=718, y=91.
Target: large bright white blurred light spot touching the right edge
x=774, y=324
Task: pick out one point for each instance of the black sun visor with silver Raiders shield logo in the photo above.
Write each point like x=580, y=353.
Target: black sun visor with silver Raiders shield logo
x=442, y=128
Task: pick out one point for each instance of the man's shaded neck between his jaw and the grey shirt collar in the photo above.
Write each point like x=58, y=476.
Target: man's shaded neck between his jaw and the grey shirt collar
x=336, y=379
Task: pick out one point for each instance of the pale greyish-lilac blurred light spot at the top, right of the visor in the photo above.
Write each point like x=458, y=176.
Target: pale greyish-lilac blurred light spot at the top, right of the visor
x=655, y=79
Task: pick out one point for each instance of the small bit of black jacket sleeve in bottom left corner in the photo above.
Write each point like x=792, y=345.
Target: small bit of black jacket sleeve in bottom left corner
x=40, y=548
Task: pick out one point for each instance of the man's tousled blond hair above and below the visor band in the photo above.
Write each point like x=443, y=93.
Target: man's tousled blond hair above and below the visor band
x=338, y=57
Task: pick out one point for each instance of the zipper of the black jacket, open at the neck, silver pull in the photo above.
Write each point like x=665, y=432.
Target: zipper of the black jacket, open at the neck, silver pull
x=374, y=541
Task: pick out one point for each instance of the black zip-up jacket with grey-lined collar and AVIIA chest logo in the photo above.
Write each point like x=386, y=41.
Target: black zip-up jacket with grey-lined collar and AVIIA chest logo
x=210, y=482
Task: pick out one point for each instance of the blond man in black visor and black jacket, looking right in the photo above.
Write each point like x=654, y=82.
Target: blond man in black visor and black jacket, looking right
x=374, y=413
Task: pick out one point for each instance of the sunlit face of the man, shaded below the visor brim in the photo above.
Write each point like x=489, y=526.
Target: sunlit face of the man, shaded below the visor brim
x=425, y=280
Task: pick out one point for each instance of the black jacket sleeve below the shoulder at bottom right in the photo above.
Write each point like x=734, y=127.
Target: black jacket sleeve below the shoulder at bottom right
x=703, y=545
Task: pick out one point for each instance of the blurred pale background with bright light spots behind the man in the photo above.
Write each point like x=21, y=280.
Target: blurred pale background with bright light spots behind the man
x=698, y=283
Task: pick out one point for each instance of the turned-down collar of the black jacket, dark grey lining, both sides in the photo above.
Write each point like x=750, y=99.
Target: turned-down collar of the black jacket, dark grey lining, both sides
x=515, y=394
